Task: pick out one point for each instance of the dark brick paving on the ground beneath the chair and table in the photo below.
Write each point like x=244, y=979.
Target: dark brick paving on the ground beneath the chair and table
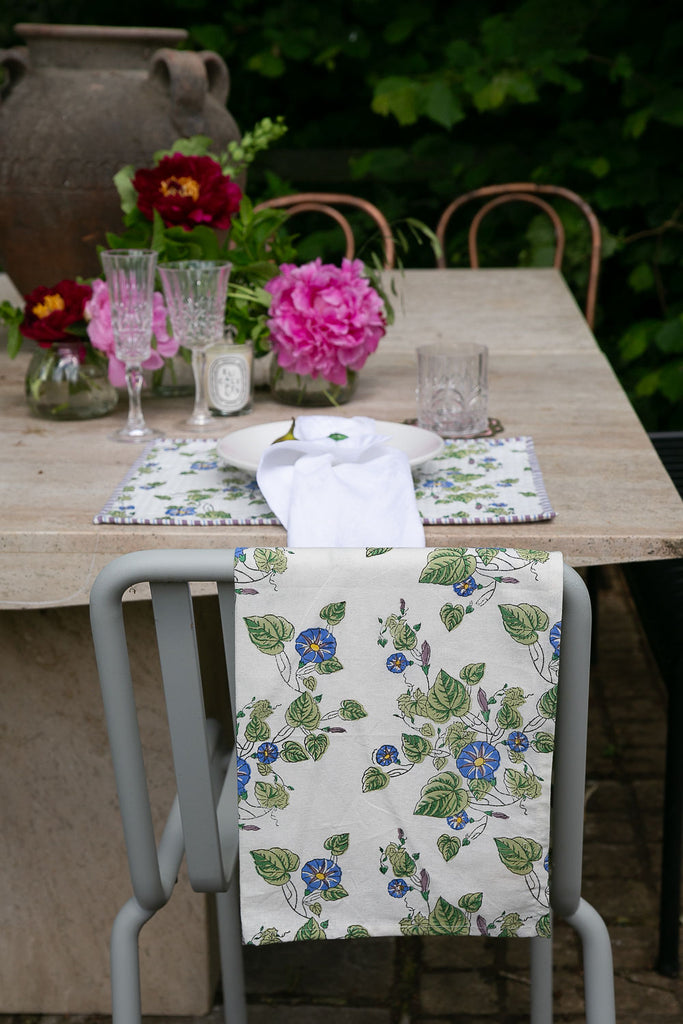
x=474, y=982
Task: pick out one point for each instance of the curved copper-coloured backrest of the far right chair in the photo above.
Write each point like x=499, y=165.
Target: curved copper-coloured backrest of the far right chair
x=527, y=192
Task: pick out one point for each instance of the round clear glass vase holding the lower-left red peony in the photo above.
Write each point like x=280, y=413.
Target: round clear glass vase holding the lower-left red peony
x=69, y=381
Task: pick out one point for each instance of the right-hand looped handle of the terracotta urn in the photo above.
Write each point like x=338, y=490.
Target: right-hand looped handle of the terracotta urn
x=189, y=77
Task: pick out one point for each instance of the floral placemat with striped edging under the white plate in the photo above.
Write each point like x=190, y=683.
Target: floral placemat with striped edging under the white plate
x=185, y=483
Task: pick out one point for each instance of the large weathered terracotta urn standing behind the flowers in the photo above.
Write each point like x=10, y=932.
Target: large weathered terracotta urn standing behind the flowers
x=78, y=104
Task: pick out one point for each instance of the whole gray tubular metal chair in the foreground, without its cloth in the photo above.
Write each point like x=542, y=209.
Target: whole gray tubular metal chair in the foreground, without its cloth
x=203, y=821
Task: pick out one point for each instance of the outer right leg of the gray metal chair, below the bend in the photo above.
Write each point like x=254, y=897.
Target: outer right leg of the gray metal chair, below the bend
x=599, y=967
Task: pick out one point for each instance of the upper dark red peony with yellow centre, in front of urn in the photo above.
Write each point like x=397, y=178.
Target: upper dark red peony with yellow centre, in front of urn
x=188, y=192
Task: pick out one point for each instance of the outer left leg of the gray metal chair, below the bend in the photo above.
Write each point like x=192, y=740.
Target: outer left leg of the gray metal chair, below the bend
x=125, y=961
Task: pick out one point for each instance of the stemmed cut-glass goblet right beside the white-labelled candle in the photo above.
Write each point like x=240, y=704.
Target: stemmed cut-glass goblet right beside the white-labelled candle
x=196, y=294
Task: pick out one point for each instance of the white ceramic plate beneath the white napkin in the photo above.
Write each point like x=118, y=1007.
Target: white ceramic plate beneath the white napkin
x=245, y=448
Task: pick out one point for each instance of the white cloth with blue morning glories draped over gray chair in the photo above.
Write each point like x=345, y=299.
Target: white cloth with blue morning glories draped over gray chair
x=396, y=721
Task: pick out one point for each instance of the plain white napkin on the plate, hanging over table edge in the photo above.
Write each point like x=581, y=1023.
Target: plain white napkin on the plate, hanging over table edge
x=340, y=485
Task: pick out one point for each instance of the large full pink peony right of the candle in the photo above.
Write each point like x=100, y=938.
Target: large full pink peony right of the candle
x=324, y=320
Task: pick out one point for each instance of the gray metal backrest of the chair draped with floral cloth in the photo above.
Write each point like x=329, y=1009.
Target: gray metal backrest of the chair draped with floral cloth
x=207, y=807
